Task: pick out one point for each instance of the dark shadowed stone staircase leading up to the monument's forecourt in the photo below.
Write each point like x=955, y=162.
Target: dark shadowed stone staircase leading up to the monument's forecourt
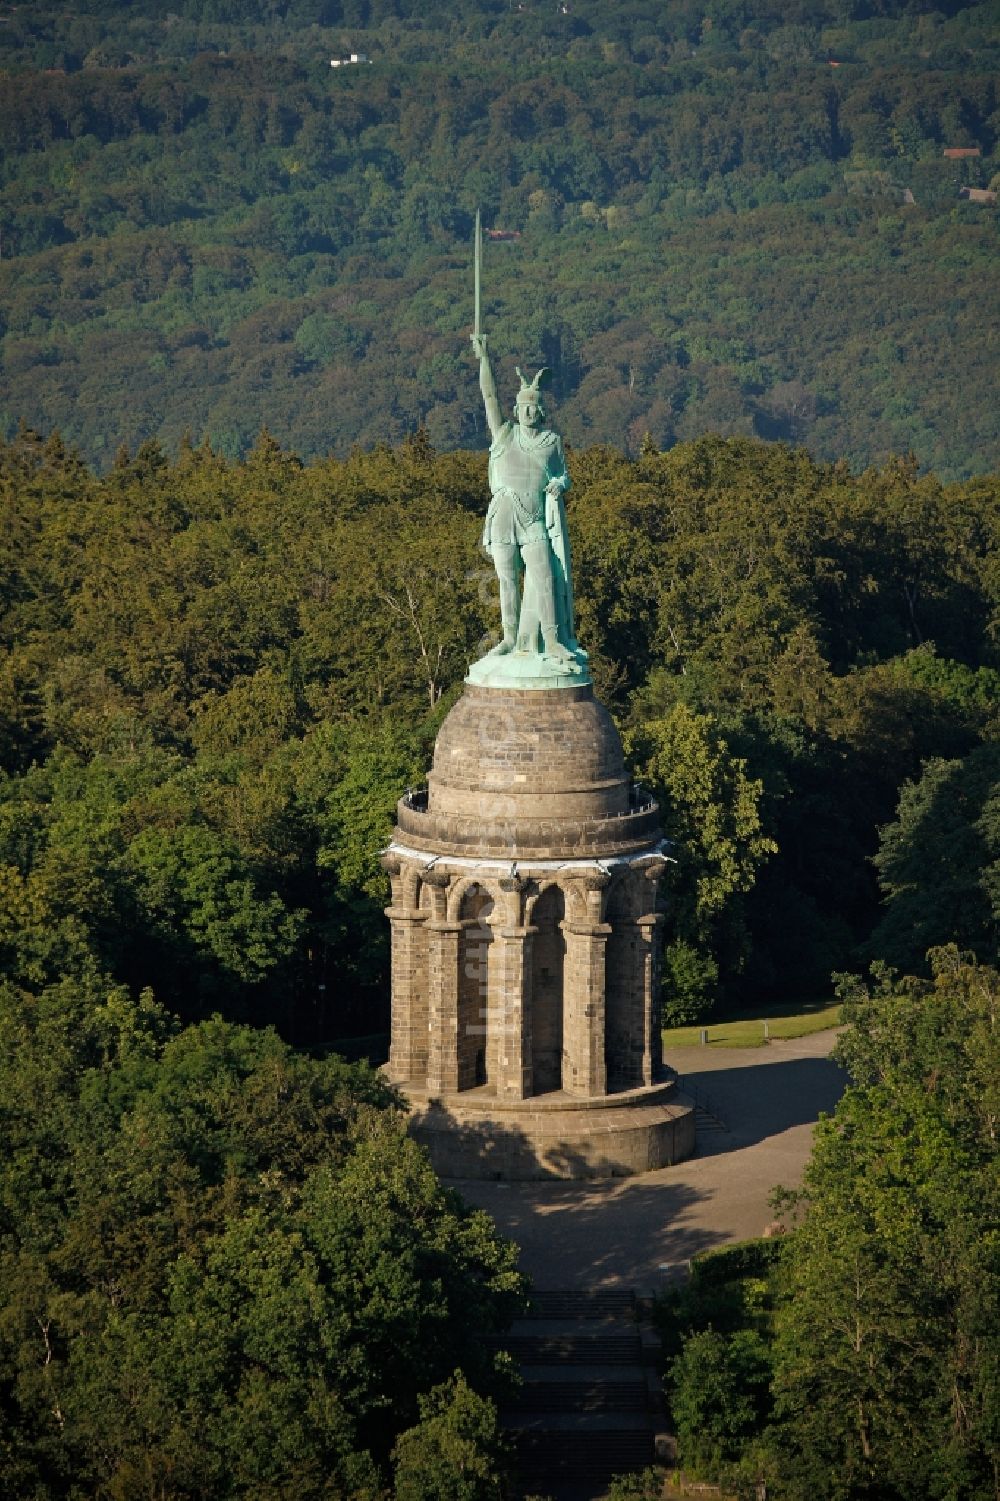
x=591, y=1406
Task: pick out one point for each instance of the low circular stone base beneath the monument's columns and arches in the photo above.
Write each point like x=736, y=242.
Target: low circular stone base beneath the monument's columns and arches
x=472, y=1136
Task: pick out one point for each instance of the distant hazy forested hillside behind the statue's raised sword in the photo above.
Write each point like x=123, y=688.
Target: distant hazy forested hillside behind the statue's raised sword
x=205, y=227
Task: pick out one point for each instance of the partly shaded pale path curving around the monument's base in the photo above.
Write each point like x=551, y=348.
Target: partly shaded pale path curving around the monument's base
x=627, y=1232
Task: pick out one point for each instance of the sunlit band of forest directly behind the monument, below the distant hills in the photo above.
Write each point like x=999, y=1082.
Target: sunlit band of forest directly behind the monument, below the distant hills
x=220, y=676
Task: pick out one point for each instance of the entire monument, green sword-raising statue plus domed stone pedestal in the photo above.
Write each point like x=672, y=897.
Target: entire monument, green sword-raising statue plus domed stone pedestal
x=525, y=879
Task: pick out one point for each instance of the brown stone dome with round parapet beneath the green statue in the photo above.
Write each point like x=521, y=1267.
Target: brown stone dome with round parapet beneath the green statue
x=528, y=772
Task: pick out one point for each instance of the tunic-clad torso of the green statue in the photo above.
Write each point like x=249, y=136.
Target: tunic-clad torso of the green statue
x=520, y=469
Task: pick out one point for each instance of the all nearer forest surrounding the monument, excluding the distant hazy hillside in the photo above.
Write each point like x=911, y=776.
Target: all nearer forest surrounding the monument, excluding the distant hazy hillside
x=224, y=1269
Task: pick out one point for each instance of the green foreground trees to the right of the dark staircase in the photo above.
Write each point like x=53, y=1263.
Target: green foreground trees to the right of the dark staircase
x=858, y=1356
